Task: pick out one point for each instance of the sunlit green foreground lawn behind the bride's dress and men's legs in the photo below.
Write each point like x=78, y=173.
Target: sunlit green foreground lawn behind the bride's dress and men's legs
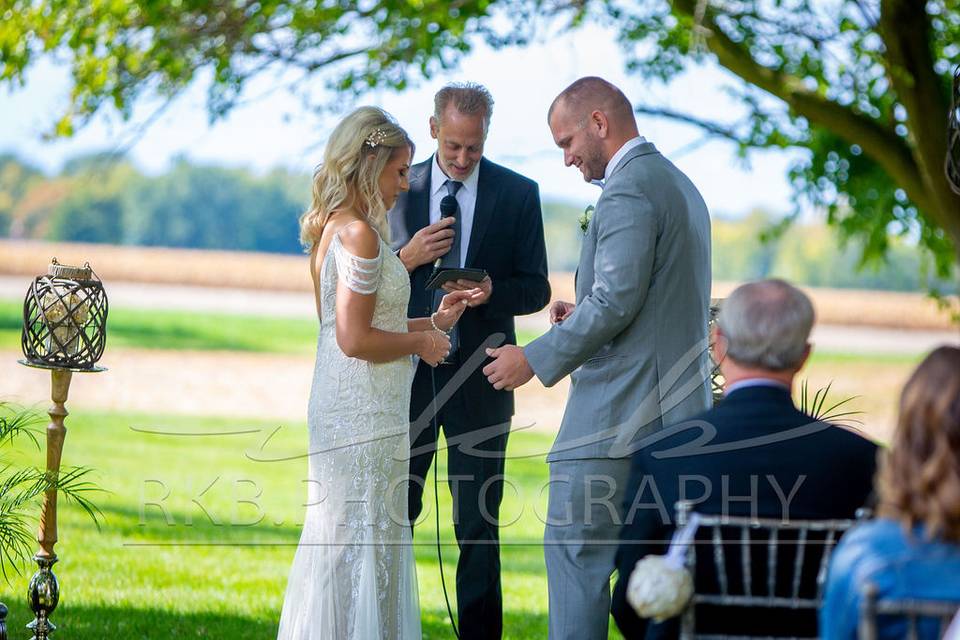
x=214, y=565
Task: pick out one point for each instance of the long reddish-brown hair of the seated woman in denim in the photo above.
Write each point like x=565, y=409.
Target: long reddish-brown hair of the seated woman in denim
x=919, y=481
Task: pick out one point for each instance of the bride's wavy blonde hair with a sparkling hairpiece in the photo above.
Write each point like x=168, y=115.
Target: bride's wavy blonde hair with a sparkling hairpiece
x=357, y=151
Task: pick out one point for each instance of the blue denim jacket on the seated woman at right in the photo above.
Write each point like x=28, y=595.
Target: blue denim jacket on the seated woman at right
x=900, y=566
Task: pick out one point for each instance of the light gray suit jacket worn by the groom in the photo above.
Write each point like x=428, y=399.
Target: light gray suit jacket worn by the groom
x=636, y=344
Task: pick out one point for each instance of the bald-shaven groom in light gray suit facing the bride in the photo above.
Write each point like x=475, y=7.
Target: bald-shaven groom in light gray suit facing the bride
x=634, y=343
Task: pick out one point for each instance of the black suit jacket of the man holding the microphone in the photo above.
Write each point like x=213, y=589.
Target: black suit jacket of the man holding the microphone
x=507, y=241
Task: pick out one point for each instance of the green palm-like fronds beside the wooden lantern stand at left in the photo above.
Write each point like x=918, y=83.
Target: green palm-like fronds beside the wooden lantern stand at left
x=21, y=488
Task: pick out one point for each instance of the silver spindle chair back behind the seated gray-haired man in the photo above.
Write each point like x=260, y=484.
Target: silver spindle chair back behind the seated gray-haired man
x=758, y=562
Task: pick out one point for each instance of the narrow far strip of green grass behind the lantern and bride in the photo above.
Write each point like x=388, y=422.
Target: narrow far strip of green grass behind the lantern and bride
x=150, y=329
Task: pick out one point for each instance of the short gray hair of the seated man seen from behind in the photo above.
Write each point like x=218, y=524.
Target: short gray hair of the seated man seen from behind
x=767, y=324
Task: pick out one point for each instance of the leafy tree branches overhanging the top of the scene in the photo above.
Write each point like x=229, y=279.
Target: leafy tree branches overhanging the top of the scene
x=863, y=85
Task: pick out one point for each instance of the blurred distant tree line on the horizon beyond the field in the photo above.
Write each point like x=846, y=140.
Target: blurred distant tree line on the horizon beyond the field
x=97, y=198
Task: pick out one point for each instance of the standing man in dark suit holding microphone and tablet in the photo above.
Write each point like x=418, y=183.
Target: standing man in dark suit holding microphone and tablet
x=497, y=226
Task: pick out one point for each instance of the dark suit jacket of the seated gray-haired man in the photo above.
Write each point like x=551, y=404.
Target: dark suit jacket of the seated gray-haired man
x=833, y=466
